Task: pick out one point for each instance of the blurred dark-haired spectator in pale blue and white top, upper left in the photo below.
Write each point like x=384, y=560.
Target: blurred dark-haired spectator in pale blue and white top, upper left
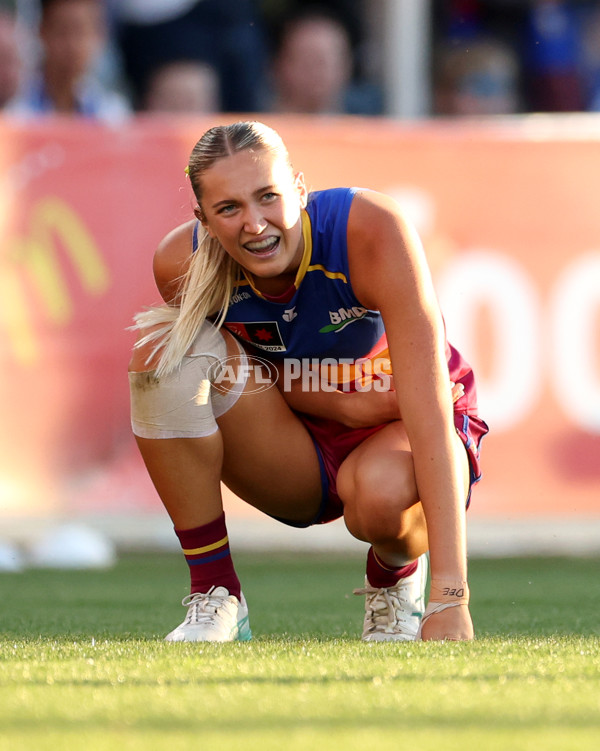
x=72, y=35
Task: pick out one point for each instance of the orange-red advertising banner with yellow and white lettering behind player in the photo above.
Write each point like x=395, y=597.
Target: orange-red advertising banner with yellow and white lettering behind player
x=509, y=217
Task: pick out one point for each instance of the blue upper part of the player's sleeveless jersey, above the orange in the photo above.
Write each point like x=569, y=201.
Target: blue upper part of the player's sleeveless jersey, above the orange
x=321, y=317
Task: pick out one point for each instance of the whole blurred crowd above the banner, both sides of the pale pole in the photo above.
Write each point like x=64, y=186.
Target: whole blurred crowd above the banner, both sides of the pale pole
x=108, y=59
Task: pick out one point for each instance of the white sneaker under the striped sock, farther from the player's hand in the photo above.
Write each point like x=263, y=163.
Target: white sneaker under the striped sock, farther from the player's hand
x=214, y=616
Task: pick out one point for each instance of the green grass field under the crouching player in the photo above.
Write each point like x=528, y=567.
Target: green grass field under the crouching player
x=83, y=664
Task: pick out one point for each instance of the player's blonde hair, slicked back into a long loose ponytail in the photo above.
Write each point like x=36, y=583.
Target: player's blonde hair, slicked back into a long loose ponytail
x=212, y=274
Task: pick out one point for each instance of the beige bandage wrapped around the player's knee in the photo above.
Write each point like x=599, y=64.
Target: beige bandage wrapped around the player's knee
x=184, y=404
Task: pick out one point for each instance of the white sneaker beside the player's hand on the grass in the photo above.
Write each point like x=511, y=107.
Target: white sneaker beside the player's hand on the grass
x=394, y=613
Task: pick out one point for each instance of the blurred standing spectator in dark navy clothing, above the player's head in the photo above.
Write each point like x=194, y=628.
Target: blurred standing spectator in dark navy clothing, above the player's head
x=226, y=34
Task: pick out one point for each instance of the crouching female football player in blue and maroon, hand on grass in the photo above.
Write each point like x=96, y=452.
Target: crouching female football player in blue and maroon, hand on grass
x=372, y=415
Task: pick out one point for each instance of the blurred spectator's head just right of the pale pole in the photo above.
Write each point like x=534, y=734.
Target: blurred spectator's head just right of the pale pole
x=477, y=77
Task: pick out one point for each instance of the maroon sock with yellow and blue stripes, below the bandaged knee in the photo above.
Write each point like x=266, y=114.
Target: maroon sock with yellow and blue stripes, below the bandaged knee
x=206, y=550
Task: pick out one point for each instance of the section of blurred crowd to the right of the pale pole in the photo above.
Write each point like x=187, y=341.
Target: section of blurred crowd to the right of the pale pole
x=505, y=56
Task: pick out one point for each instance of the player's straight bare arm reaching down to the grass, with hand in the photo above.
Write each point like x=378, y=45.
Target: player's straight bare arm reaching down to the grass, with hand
x=389, y=273
